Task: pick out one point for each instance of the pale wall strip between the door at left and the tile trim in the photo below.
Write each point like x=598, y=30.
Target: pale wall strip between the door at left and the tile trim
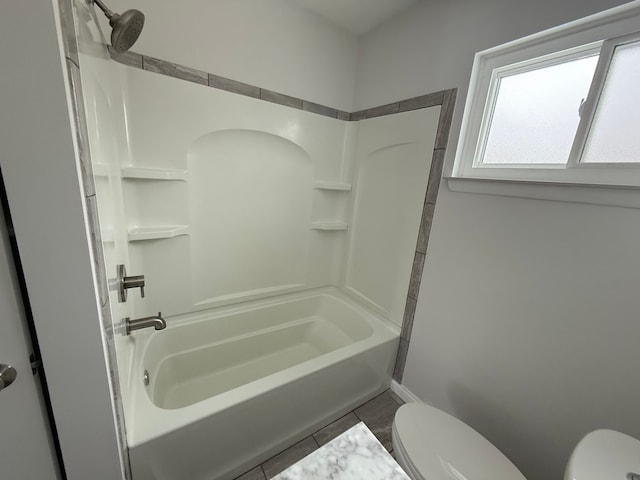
x=48, y=208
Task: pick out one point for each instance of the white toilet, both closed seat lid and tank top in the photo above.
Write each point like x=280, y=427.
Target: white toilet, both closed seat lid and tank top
x=430, y=444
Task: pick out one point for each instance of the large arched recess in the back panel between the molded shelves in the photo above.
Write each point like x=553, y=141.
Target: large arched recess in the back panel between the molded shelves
x=250, y=195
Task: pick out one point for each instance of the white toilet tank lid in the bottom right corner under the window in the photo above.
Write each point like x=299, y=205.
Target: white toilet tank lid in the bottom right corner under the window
x=604, y=454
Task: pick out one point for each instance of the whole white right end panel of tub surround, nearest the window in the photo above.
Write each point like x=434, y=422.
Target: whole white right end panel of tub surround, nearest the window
x=392, y=164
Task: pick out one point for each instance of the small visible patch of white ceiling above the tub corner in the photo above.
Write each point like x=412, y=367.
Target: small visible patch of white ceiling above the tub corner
x=356, y=16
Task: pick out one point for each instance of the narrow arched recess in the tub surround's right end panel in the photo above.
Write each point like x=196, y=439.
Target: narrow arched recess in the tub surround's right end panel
x=391, y=189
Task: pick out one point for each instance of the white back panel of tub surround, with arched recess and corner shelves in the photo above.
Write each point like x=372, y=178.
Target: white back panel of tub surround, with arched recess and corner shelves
x=242, y=188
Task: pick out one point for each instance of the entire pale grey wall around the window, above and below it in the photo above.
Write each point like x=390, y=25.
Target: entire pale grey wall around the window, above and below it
x=527, y=316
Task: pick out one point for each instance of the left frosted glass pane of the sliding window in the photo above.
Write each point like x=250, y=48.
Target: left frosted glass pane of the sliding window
x=536, y=114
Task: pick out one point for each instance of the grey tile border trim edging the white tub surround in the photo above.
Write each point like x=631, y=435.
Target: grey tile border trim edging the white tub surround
x=444, y=98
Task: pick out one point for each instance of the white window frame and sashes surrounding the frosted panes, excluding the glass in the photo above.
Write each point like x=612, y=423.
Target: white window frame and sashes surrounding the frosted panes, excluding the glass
x=603, y=31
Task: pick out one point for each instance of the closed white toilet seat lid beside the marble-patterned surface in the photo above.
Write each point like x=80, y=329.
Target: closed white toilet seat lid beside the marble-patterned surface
x=432, y=445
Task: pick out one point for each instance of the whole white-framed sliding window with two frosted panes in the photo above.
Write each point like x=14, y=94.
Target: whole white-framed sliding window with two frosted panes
x=560, y=106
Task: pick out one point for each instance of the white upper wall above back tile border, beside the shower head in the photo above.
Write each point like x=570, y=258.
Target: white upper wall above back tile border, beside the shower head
x=275, y=45
